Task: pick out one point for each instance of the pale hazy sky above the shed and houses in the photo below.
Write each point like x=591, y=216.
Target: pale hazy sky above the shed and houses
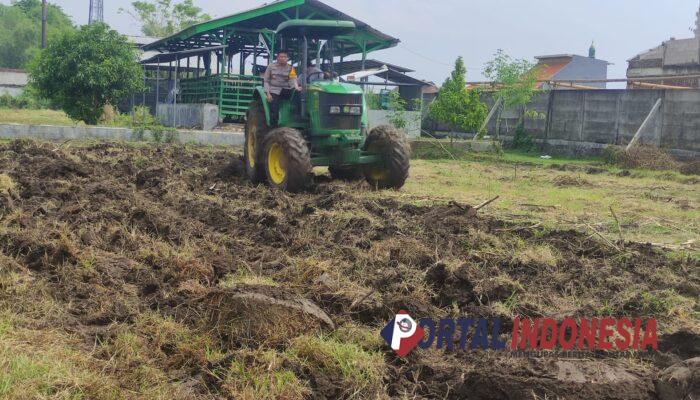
x=434, y=32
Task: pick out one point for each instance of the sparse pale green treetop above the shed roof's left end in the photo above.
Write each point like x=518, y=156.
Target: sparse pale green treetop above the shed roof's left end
x=160, y=18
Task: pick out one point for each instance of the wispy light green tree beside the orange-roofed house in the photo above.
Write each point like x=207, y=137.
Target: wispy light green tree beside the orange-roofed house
x=515, y=79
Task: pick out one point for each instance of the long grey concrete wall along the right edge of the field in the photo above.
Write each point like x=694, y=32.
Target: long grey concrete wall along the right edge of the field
x=586, y=121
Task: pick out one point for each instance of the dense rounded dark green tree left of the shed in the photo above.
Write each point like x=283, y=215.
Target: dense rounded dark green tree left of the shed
x=85, y=70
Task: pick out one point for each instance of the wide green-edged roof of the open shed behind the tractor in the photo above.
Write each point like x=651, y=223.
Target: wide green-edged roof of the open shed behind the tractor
x=265, y=22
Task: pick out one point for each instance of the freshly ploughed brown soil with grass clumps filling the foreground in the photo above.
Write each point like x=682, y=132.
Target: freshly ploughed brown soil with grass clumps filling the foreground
x=111, y=232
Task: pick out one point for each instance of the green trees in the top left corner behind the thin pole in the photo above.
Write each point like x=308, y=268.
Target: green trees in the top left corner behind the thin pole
x=20, y=30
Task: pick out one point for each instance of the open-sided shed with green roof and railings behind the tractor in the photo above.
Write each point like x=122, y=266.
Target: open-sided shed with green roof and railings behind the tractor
x=206, y=52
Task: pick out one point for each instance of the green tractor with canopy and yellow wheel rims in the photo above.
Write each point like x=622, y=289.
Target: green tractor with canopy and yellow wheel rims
x=323, y=125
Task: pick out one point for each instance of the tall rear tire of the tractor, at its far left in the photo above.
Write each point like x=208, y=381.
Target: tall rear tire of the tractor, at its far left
x=255, y=131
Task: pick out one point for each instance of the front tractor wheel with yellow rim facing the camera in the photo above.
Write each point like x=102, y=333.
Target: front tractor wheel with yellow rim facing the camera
x=290, y=154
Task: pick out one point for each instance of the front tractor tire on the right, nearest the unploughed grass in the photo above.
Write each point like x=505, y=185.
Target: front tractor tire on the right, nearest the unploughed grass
x=391, y=144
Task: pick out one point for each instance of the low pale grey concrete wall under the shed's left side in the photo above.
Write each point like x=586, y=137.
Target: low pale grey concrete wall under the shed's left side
x=201, y=116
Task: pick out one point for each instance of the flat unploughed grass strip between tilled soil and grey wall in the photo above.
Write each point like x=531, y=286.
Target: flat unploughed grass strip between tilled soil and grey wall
x=565, y=196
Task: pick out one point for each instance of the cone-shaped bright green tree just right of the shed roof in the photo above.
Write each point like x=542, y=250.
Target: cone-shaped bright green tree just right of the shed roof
x=457, y=106
